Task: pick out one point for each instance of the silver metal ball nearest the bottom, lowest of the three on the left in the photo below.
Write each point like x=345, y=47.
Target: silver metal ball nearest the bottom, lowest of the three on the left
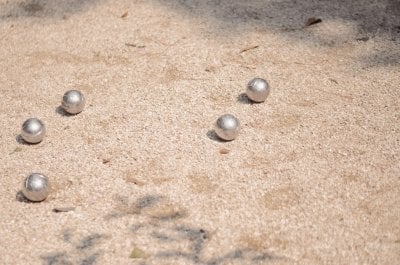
x=36, y=187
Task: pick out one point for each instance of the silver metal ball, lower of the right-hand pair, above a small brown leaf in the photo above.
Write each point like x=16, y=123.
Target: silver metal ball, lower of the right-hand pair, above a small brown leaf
x=227, y=127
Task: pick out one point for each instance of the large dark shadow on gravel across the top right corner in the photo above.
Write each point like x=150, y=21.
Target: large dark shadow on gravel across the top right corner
x=287, y=17
